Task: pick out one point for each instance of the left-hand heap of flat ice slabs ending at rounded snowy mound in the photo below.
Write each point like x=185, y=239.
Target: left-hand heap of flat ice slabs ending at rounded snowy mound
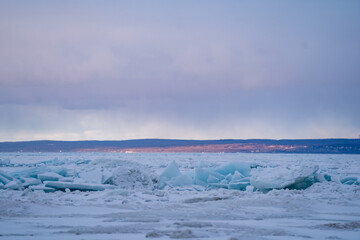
x=50, y=176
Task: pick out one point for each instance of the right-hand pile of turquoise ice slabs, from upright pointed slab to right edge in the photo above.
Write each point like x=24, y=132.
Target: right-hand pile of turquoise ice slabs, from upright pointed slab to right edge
x=242, y=176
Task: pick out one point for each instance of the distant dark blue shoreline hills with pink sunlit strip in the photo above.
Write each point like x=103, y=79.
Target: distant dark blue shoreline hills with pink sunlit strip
x=335, y=145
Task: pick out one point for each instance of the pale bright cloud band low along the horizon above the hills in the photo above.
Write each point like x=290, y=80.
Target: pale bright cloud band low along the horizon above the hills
x=38, y=123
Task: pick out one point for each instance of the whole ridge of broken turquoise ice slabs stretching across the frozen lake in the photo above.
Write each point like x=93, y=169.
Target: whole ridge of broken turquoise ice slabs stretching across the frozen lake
x=130, y=175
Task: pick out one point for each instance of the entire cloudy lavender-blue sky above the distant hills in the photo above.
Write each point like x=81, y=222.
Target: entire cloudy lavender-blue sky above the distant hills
x=114, y=70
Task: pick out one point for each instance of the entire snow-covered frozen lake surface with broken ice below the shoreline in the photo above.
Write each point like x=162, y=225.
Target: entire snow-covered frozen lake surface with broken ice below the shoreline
x=179, y=196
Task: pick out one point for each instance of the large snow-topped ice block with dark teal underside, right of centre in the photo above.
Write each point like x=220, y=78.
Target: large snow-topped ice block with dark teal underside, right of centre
x=295, y=177
